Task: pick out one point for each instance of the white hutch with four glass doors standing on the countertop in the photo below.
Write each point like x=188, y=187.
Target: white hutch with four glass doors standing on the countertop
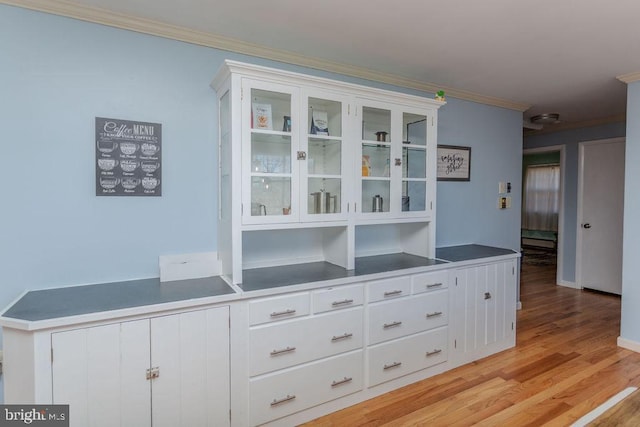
x=311, y=169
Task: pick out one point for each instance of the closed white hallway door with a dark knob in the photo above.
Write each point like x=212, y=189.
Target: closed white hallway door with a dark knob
x=600, y=213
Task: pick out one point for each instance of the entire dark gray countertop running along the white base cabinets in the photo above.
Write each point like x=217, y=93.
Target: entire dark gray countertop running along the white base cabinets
x=78, y=300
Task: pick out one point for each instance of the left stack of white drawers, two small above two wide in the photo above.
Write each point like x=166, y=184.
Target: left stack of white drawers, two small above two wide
x=297, y=361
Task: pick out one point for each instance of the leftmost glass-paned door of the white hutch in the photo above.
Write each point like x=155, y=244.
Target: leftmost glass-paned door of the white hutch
x=268, y=153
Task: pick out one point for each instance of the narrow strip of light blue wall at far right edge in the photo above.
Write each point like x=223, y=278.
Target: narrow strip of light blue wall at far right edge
x=630, y=320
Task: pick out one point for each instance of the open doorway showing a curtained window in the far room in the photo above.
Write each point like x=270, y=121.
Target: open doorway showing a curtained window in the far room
x=543, y=208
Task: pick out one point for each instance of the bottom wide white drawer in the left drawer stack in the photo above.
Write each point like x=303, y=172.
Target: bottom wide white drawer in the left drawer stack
x=277, y=395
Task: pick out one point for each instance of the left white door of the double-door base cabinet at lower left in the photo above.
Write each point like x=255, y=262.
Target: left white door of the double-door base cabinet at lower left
x=100, y=373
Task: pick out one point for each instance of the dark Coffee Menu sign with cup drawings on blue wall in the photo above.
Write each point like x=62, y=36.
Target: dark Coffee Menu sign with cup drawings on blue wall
x=128, y=158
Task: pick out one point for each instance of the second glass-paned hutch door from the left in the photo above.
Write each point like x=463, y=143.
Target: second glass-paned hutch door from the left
x=322, y=196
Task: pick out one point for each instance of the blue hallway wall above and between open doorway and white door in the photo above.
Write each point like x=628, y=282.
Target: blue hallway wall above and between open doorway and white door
x=570, y=139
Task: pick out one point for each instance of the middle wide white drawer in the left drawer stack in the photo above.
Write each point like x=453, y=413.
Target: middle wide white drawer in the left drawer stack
x=285, y=344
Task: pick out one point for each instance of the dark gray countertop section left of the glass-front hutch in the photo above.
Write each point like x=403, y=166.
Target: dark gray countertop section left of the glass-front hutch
x=75, y=300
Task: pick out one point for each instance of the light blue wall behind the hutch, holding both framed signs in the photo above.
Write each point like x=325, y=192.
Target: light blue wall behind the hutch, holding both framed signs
x=58, y=74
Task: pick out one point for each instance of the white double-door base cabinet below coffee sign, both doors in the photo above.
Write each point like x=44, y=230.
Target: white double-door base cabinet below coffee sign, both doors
x=165, y=371
